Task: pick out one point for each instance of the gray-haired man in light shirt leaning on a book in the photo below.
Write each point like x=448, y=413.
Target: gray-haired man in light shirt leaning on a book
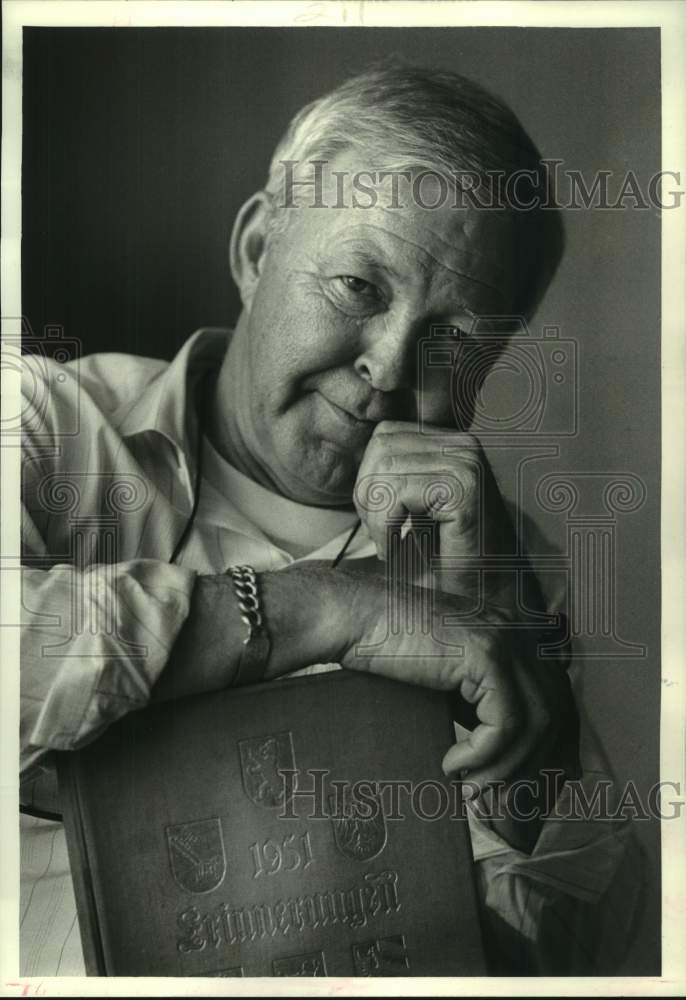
x=265, y=447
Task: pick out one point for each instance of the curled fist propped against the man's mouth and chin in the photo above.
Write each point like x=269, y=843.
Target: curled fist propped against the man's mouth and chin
x=447, y=477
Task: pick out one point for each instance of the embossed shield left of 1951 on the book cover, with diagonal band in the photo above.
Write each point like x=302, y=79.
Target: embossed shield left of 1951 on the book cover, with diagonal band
x=196, y=854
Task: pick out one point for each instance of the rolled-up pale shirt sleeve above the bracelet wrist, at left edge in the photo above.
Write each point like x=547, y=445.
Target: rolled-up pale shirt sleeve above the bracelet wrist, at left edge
x=74, y=683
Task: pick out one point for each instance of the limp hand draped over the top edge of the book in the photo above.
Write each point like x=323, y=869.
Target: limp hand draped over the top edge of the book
x=522, y=703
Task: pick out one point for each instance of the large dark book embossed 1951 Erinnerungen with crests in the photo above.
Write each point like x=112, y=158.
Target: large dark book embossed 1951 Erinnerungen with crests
x=297, y=828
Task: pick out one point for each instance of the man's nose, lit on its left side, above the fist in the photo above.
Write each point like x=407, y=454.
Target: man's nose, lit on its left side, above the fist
x=387, y=359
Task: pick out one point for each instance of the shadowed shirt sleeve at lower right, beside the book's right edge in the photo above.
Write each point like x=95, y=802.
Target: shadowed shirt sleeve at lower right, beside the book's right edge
x=569, y=907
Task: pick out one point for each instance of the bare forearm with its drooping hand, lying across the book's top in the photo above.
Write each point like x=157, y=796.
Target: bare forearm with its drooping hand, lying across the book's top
x=316, y=614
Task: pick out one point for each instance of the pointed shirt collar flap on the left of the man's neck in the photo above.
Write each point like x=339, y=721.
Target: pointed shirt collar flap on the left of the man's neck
x=166, y=406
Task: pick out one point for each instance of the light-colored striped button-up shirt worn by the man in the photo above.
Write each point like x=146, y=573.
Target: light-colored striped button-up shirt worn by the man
x=109, y=470
